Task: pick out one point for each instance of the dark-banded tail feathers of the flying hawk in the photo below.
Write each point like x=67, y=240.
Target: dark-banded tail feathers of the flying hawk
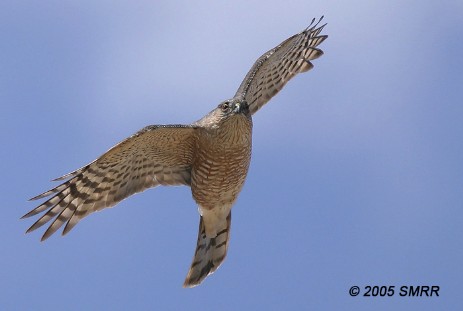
x=209, y=254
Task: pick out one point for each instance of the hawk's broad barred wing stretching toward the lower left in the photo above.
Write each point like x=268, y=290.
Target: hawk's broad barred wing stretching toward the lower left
x=156, y=155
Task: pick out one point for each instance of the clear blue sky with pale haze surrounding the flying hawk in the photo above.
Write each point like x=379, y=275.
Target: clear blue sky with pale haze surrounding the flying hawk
x=356, y=176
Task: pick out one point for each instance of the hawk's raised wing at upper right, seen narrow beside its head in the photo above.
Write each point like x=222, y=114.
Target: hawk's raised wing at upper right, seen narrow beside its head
x=274, y=69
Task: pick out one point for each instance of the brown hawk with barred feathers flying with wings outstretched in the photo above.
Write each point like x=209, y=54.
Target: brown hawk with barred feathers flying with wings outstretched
x=211, y=156
